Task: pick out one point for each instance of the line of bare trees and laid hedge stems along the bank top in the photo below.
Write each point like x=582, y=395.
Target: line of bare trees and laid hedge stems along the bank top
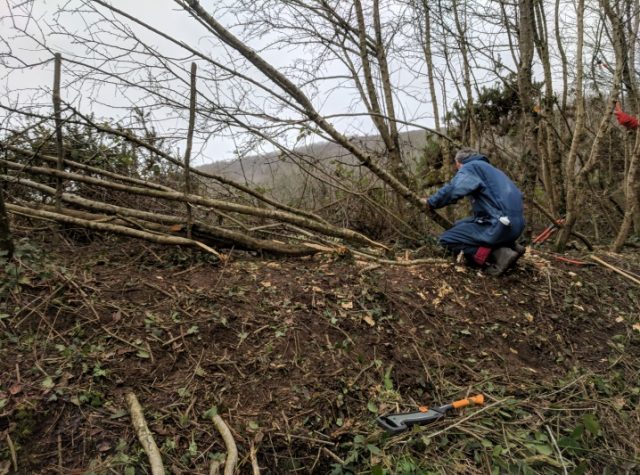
x=533, y=84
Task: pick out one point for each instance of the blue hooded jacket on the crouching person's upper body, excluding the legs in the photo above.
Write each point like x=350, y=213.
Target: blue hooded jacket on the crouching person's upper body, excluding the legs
x=492, y=193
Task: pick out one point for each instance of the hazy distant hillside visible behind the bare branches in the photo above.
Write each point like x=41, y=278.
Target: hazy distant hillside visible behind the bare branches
x=266, y=170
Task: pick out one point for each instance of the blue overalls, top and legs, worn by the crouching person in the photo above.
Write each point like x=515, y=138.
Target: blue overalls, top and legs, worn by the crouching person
x=493, y=196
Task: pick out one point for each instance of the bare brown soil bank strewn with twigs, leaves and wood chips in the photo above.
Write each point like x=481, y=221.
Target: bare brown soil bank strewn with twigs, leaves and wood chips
x=299, y=356
